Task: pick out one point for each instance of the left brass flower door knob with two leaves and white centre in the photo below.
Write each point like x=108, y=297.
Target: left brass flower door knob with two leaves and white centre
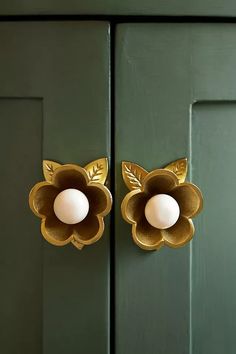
x=72, y=202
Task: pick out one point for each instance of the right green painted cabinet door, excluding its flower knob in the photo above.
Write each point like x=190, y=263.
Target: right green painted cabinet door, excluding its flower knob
x=176, y=97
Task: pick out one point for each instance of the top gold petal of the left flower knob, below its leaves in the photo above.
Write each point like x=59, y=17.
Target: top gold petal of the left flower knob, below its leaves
x=70, y=176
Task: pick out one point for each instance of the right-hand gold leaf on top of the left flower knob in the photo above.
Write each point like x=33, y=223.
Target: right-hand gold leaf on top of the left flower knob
x=97, y=170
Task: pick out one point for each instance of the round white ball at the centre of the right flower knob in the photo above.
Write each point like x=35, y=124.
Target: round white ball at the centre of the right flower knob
x=162, y=211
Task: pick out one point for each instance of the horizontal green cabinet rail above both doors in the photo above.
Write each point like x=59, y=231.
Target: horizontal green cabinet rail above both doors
x=122, y=7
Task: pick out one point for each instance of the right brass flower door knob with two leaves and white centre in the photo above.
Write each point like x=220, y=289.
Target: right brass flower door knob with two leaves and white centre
x=160, y=205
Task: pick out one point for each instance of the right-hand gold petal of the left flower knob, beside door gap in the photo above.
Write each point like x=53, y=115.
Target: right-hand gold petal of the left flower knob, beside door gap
x=100, y=199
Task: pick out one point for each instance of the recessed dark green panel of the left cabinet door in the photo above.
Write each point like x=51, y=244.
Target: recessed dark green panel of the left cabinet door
x=21, y=254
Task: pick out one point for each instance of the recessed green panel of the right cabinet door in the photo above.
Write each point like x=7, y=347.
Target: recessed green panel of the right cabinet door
x=214, y=256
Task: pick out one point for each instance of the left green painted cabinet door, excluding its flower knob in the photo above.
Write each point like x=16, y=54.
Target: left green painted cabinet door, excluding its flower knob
x=54, y=104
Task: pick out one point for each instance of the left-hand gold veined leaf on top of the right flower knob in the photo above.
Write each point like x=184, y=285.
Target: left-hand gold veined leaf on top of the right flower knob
x=133, y=175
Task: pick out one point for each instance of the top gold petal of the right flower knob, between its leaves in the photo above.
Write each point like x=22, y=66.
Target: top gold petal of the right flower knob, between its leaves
x=160, y=181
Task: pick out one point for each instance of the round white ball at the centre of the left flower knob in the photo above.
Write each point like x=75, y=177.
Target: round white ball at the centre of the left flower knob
x=71, y=206
